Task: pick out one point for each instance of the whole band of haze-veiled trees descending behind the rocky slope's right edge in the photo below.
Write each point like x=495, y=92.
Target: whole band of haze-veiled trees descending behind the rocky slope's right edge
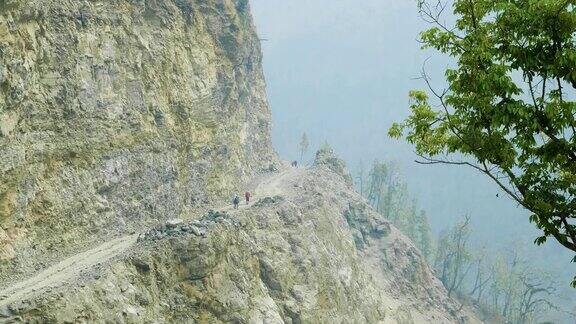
x=501, y=286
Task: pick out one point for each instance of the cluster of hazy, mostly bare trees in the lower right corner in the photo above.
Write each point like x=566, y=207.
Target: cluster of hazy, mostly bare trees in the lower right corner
x=502, y=286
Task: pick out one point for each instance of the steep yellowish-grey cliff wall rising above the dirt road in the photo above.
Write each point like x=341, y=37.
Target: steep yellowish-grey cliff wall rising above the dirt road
x=114, y=114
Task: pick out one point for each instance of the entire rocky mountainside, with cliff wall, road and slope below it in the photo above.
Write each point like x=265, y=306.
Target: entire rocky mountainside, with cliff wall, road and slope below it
x=123, y=126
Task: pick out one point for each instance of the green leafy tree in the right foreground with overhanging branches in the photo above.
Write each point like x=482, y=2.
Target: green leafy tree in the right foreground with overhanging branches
x=508, y=109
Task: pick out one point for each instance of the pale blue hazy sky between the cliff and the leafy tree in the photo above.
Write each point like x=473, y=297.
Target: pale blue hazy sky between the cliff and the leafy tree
x=341, y=70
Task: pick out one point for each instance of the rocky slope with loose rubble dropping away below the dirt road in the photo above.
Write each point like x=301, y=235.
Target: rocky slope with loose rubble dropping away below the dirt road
x=315, y=254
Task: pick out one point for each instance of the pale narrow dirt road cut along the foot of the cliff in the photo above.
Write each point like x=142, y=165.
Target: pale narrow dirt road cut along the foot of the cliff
x=63, y=273
